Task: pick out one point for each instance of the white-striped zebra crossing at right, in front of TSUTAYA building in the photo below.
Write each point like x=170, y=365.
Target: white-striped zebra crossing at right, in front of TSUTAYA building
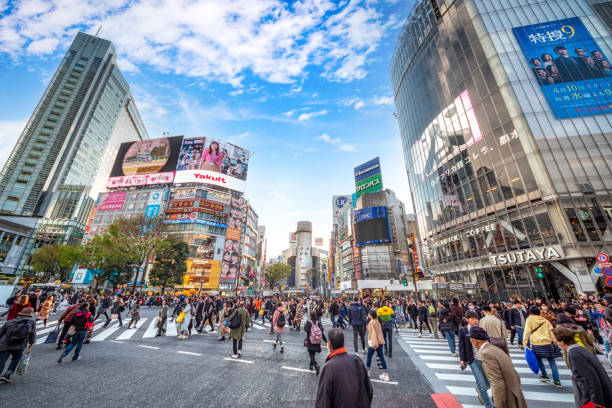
x=436, y=361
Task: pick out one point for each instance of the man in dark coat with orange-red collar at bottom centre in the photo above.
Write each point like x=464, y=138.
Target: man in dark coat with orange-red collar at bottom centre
x=344, y=381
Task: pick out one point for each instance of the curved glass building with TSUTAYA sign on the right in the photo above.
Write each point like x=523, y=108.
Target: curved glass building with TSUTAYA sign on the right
x=504, y=114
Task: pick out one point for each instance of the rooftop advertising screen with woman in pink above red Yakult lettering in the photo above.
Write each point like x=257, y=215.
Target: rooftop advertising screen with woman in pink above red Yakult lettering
x=212, y=162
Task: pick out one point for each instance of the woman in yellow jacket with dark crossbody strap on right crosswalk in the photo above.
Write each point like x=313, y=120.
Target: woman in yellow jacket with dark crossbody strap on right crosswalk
x=538, y=332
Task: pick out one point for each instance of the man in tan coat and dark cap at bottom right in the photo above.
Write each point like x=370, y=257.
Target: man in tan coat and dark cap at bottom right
x=505, y=381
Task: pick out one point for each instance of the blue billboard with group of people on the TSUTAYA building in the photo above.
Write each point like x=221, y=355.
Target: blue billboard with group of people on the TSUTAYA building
x=569, y=65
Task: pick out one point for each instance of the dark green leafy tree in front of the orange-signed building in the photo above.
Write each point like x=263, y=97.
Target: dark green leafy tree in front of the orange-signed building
x=169, y=267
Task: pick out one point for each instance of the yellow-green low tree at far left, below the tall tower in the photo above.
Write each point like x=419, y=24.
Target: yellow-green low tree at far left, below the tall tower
x=57, y=261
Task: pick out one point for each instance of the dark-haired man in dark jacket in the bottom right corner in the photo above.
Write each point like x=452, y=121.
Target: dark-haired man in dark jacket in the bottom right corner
x=592, y=386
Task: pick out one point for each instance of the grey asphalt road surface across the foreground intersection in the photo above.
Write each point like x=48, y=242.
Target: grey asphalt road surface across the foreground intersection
x=122, y=368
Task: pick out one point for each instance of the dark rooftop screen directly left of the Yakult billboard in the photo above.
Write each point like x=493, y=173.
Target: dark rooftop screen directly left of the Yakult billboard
x=145, y=162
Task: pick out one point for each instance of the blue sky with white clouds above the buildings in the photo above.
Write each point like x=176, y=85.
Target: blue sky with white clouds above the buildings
x=304, y=85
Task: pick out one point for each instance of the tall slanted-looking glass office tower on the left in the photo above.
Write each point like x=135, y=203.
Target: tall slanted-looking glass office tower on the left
x=63, y=157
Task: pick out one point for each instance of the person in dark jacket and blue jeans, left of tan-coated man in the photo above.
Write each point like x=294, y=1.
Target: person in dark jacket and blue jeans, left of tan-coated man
x=470, y=355
